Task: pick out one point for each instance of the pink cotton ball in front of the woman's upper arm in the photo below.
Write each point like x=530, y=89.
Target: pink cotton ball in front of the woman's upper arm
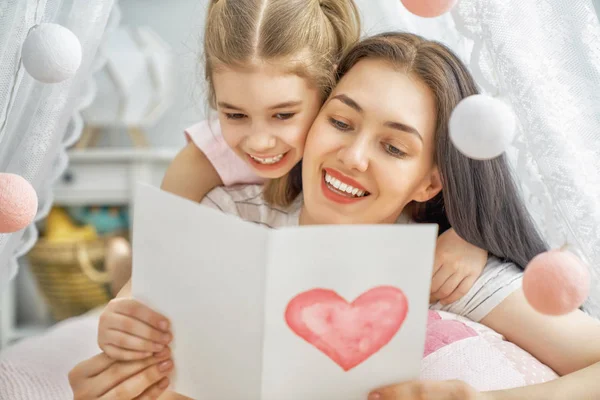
x=556, y=282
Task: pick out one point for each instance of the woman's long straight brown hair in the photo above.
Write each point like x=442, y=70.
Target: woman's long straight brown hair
x=479, y=199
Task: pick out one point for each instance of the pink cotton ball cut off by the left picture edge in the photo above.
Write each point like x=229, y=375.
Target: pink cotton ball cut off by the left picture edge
x=18, y=203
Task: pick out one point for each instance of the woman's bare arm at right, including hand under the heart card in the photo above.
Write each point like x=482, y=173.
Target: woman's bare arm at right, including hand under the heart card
x=568, y=344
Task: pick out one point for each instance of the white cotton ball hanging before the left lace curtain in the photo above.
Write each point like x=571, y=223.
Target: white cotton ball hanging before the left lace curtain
x=51, y=53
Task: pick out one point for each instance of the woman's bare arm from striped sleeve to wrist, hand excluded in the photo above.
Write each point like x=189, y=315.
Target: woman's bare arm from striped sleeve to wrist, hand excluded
x=568, y=344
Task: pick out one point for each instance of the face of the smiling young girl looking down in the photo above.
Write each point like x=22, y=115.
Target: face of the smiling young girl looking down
x=265, y=114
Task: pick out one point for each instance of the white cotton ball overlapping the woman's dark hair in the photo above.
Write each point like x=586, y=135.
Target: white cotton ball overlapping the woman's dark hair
x=482, y=127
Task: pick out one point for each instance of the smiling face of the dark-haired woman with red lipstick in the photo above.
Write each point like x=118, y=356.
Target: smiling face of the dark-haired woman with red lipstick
x=370, y=151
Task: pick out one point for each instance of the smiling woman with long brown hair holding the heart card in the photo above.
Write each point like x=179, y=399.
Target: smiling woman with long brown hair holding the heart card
x=383, y=134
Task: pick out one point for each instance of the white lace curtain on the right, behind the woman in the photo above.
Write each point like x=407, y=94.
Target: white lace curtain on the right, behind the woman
x=543, y=56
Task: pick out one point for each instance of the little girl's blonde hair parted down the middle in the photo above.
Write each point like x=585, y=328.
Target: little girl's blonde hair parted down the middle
x=308, y=36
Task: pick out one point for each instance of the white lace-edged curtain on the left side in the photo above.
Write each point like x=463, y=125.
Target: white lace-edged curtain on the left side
x=41, y=119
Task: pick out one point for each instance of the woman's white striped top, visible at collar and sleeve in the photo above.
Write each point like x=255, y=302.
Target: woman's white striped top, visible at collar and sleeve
x=498, y=280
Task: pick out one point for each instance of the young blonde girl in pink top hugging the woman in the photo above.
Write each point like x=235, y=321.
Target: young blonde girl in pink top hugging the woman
x=269, y=66
